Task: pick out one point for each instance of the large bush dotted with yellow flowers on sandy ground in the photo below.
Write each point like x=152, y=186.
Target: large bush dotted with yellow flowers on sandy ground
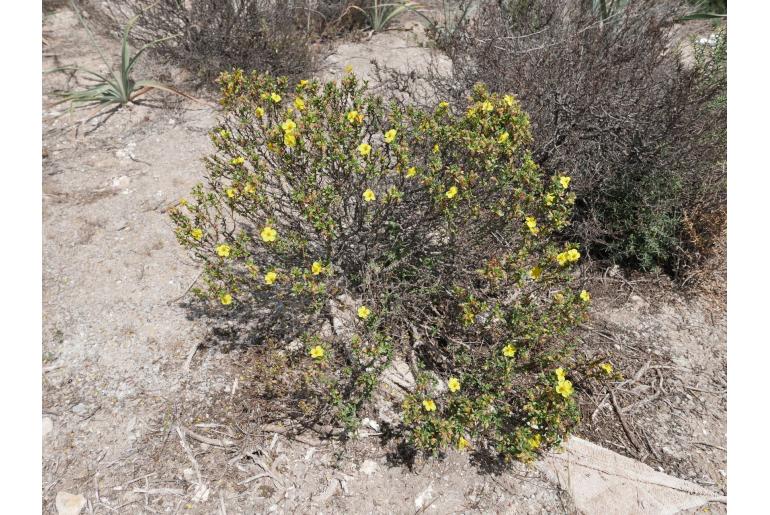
x=379, y=234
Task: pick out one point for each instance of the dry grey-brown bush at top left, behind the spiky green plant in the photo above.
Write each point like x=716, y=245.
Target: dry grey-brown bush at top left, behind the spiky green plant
x=209, y=36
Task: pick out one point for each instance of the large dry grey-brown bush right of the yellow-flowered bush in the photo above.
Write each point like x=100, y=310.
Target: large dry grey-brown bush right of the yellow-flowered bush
x=613, y=105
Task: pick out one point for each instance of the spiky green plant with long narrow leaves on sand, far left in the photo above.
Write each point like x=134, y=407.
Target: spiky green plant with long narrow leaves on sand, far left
x=116, y=87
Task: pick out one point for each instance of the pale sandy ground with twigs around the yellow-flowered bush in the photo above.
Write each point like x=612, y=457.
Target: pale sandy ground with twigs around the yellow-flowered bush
x=116, y=385
